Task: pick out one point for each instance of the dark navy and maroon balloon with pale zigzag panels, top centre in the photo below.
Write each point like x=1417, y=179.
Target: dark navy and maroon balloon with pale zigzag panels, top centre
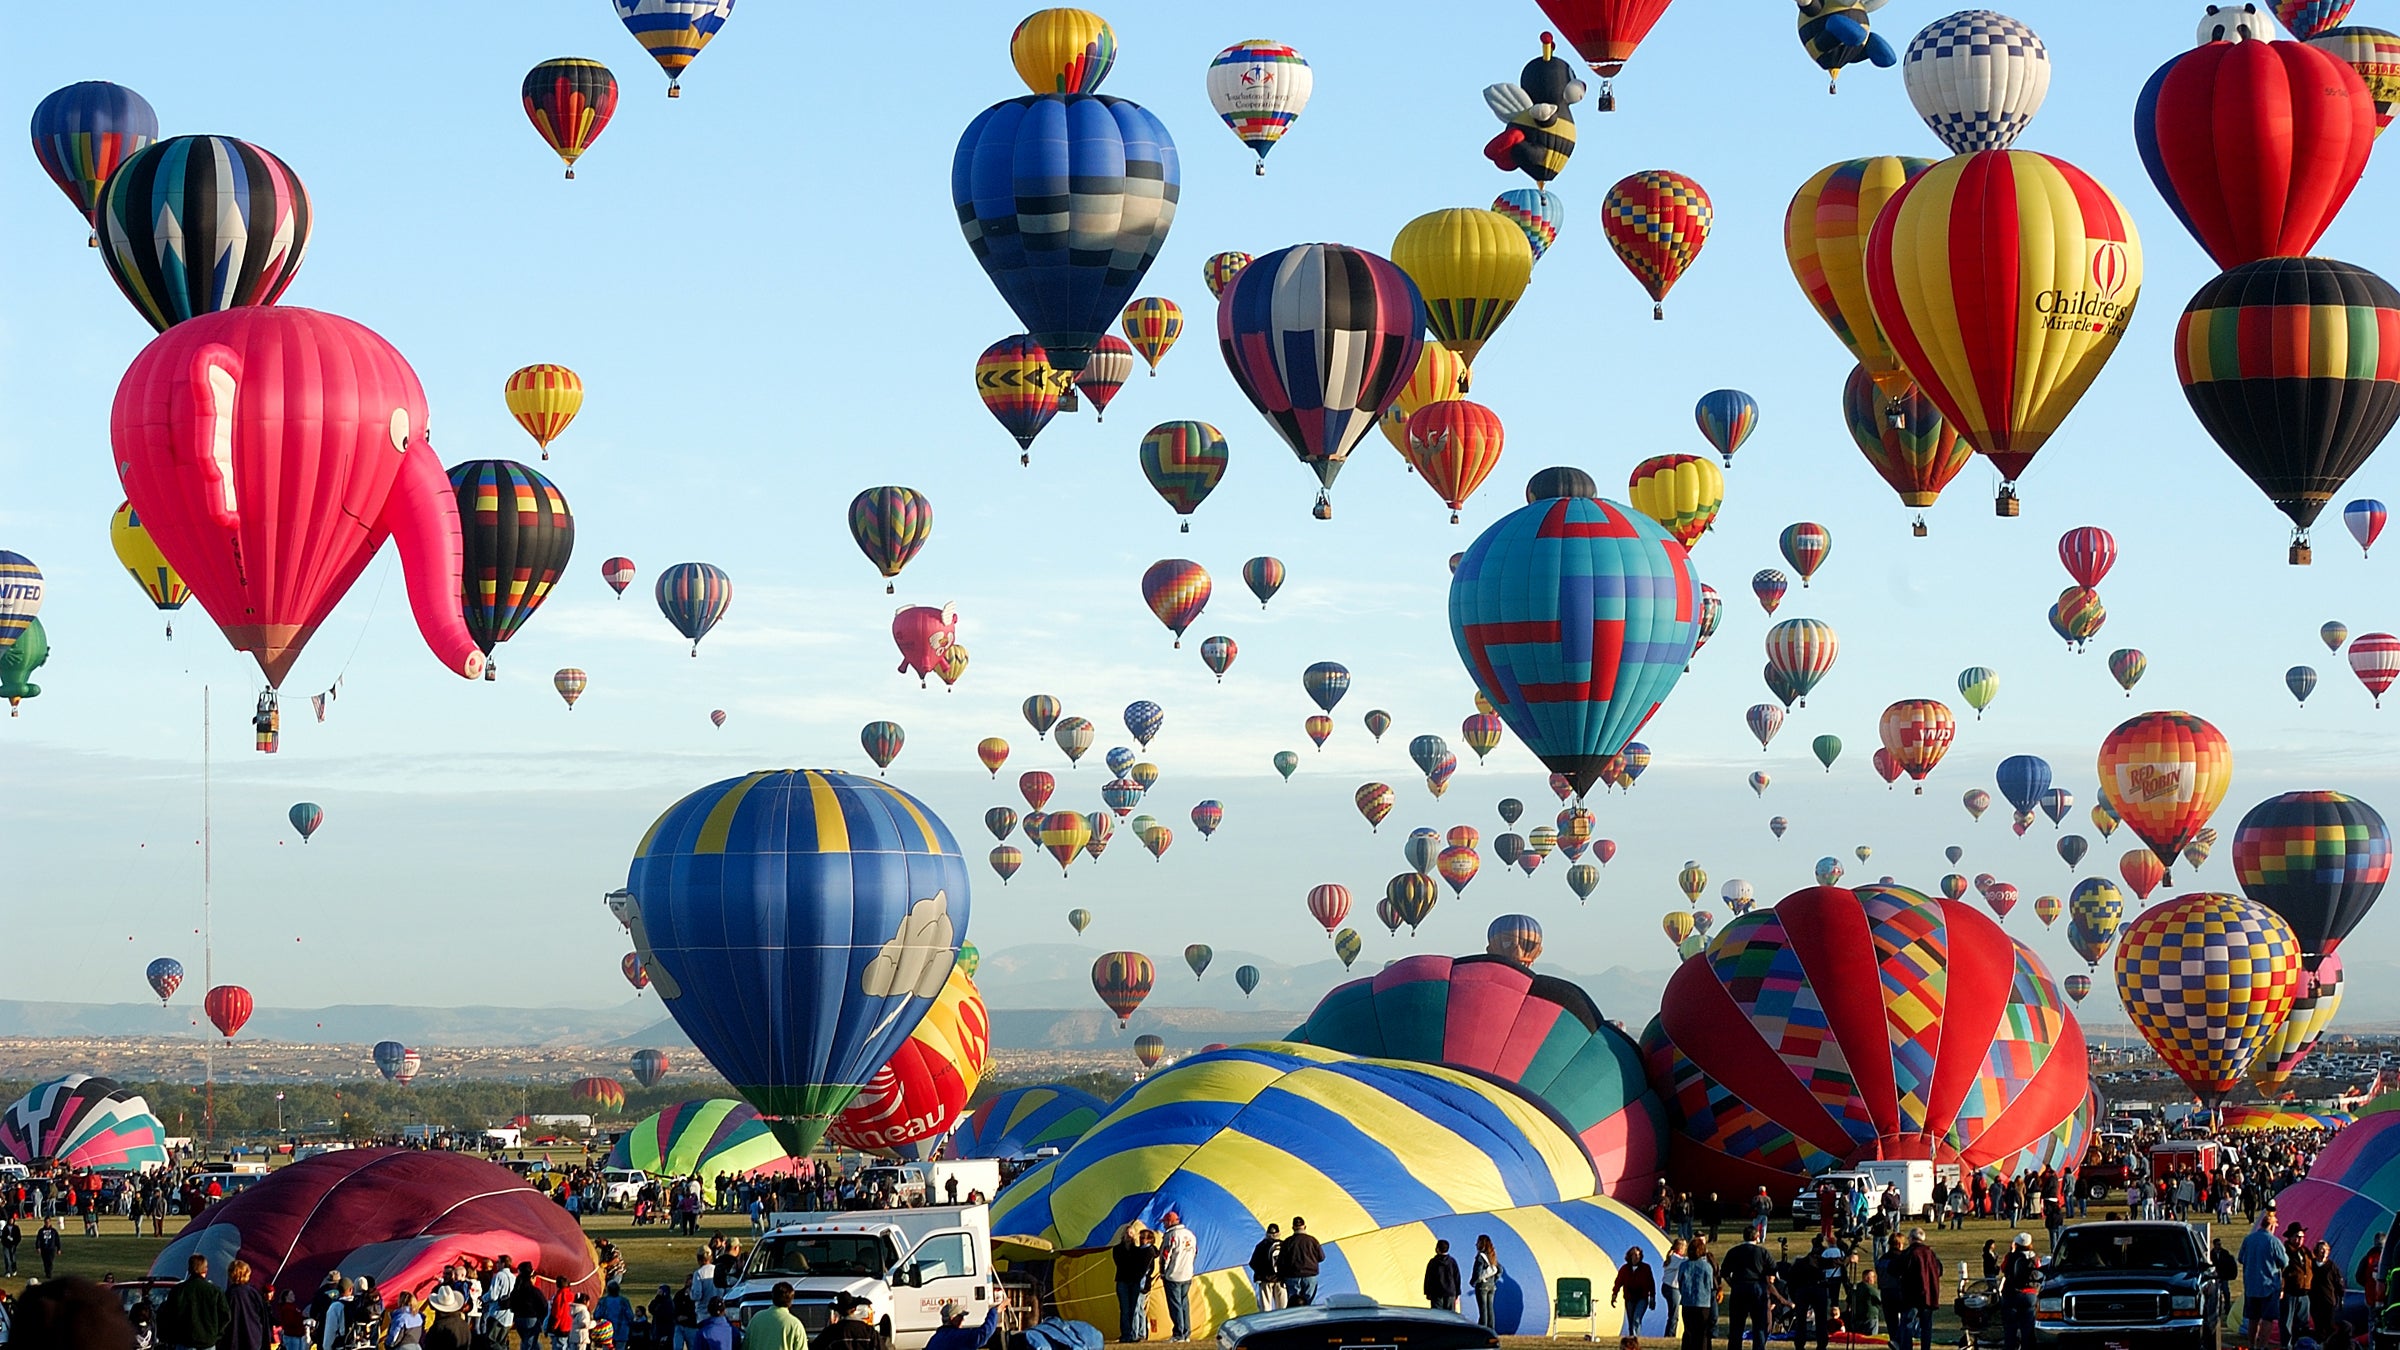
x=1321, y=340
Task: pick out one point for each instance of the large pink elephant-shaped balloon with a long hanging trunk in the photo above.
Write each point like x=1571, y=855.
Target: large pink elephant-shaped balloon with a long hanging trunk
x=272, y=453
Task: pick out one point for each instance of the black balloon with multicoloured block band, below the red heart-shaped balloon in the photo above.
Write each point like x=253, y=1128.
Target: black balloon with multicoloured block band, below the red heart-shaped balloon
x=2305, y=412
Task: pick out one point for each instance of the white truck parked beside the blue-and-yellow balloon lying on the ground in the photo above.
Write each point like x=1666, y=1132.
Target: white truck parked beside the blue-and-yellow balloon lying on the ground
x=906, y=1262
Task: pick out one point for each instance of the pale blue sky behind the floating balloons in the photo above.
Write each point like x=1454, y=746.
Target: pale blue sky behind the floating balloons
x=769, y=301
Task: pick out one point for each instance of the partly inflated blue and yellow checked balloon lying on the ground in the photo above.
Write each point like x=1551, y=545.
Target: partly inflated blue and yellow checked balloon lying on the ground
x=1379, y=1157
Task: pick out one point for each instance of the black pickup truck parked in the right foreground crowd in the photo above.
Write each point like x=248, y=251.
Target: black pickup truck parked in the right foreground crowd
x=2128, y=1286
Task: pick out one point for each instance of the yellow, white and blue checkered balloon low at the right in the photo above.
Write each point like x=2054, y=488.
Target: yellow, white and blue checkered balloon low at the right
x=2207, y=981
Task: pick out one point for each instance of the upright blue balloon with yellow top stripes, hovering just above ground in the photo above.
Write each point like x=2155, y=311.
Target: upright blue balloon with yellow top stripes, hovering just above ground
x=798, y=924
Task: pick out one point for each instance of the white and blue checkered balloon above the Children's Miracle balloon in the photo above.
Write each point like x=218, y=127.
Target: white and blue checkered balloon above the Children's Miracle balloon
x=1976, y=78
